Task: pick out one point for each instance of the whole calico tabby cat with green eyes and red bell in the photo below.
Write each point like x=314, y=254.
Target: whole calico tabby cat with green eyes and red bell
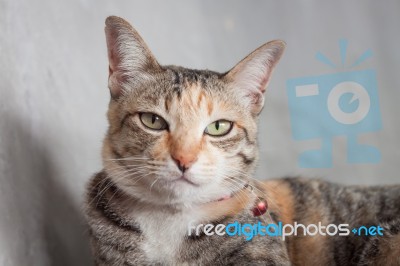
x=181, y=149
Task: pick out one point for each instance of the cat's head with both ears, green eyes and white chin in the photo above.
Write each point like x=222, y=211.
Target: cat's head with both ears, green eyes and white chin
x=178, y=135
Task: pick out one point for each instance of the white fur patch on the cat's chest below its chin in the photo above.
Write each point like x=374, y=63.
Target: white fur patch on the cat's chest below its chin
x=164, y=232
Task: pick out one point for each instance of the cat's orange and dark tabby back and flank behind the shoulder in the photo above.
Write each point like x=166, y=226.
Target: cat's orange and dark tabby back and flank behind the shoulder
x=315, y=201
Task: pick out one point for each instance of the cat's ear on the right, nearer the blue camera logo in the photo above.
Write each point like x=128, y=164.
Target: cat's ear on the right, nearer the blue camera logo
x=250, y=77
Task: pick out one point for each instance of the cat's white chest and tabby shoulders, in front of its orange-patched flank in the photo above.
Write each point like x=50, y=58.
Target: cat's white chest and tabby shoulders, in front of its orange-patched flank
x=159, y=236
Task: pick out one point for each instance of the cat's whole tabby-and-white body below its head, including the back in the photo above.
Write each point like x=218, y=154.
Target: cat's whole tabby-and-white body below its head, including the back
x=122, y=236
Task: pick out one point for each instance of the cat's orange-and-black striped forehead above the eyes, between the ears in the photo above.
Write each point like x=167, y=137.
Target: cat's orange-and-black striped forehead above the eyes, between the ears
x=186, y=94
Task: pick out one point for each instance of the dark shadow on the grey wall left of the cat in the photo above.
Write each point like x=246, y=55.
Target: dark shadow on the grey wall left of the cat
x=44, y=225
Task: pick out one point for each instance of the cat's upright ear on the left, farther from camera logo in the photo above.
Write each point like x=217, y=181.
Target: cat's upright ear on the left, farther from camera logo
x=130, y=60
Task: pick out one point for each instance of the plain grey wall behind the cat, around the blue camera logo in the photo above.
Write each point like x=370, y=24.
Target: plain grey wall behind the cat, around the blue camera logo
x=53, y=96
